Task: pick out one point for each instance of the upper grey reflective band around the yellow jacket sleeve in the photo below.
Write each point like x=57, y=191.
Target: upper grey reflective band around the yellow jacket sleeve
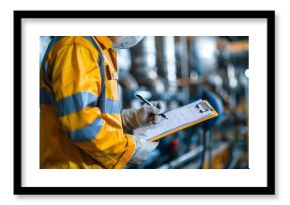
x=75, y=103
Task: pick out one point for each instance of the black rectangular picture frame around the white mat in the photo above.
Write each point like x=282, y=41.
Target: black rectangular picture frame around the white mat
x=268, y=190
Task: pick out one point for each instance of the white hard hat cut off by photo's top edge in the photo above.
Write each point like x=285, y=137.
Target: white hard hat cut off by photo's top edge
x=125, y=41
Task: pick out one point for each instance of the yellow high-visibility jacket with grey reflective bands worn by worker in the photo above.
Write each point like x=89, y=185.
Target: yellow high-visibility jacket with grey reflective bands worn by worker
x=80, y=122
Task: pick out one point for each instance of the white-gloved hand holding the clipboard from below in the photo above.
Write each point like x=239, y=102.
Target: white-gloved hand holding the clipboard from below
x=142, y=149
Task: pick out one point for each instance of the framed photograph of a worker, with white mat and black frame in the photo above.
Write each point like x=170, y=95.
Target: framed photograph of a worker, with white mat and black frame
x=184, y=107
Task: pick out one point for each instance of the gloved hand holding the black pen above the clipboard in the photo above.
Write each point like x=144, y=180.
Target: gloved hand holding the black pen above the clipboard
x=133, y=118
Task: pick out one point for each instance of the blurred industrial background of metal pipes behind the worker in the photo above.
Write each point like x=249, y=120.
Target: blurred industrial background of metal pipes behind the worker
x=178, y=71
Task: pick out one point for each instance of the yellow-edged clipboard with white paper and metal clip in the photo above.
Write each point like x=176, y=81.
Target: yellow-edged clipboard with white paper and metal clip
x=178, y=119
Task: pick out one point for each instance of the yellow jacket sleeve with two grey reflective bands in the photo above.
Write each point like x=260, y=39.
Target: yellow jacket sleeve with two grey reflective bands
x=76, y=82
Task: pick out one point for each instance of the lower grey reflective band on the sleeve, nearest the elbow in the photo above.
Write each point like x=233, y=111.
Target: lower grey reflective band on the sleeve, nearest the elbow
x=87, y=133
